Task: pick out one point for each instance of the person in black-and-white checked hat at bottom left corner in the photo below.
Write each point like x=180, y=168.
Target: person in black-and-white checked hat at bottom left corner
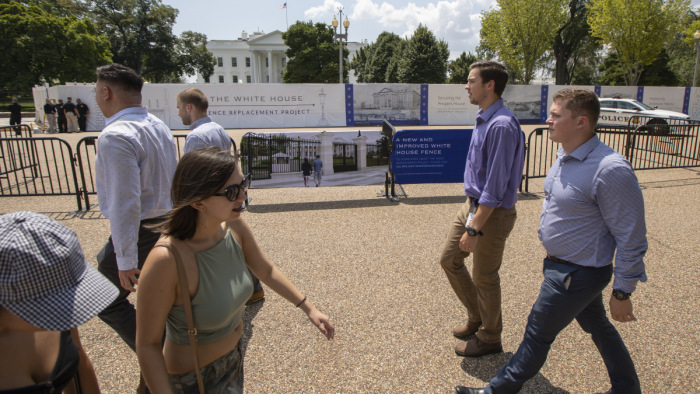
x=47, y=289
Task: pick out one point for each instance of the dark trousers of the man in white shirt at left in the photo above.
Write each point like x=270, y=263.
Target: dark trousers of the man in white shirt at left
x=121, y=314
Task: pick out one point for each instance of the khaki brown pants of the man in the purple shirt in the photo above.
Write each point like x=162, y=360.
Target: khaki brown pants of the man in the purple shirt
x=479, y=292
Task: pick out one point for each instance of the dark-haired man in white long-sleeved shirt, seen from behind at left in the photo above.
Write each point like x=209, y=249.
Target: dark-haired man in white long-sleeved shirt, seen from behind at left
x=134, y=167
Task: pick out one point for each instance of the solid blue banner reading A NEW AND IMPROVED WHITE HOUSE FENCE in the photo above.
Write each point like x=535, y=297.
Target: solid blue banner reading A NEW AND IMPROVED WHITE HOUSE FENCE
x=430, y=156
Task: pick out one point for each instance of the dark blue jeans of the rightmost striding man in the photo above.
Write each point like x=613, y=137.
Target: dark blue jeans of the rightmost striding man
x=558, y=305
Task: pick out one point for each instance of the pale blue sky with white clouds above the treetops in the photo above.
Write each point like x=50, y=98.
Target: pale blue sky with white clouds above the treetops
x=455, y=21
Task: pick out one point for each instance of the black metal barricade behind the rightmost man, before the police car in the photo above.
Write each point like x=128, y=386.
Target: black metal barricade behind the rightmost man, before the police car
x=647, y=143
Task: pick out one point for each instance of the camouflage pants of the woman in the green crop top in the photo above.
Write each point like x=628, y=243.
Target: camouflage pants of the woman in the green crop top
x=224, y=375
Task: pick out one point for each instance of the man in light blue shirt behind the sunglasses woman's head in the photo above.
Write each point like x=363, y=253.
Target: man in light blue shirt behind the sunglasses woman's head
x=192, y=105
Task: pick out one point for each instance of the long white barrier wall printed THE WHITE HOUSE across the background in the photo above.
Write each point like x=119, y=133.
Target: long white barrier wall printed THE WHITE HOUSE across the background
x=260, y=106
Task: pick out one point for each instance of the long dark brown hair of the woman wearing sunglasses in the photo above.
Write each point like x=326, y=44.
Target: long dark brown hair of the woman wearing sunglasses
x=198, y=175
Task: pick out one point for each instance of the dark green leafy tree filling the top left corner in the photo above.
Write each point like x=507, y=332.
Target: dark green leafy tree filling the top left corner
x=31, y=56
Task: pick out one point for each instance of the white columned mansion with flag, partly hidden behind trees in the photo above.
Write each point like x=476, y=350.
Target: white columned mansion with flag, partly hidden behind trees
x=256, y=58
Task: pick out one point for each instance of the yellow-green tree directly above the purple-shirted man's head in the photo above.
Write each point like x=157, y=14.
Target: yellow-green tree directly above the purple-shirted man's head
x=521, y=32
